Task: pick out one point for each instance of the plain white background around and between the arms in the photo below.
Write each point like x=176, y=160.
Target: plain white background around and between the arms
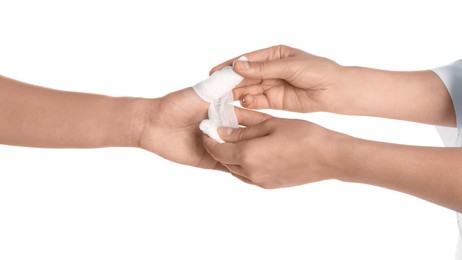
x=120, y=203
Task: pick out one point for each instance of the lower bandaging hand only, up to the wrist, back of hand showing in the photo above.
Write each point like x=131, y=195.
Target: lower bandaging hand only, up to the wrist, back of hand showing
x=277, y=152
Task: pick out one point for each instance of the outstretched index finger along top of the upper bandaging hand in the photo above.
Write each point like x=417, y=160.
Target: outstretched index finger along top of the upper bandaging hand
x=271, y=53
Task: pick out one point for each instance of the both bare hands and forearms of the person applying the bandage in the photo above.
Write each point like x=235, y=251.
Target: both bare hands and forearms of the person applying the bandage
x=276, y=153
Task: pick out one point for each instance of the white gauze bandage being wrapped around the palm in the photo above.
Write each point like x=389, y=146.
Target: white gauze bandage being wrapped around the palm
x=217, y=90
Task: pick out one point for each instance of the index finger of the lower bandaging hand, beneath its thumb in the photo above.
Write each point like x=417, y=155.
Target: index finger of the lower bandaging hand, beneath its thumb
x=224, y=153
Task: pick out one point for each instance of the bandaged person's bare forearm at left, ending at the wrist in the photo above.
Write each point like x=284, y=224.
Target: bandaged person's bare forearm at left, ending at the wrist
x=40, y=117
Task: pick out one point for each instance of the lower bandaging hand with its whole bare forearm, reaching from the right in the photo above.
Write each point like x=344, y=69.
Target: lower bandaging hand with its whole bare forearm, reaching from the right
x=279, y=153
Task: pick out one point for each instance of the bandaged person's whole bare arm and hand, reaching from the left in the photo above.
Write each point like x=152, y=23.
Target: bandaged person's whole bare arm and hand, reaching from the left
x=34, y=116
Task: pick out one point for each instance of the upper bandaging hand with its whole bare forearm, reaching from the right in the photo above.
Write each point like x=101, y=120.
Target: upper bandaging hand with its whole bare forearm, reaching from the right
x=285, y=78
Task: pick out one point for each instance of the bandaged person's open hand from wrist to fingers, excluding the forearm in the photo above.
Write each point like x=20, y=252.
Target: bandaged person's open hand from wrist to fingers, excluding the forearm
x=172, y=128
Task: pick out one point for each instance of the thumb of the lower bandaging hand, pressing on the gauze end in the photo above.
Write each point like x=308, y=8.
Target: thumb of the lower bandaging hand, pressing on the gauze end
x=235, y=135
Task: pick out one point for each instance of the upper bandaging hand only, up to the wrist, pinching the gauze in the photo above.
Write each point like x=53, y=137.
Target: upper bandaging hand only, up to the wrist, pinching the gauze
x=285, y=78
